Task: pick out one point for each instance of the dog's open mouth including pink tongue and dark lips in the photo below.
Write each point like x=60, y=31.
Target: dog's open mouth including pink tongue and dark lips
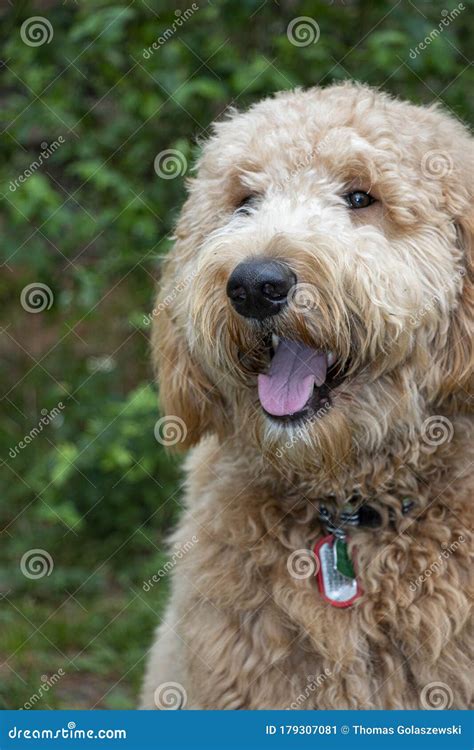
x=299, y=381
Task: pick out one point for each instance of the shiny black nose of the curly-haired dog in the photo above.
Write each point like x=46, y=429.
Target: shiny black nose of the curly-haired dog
x=258, y=288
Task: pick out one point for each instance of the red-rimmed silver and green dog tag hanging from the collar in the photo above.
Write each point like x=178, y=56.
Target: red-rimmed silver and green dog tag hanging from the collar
x=336, y=588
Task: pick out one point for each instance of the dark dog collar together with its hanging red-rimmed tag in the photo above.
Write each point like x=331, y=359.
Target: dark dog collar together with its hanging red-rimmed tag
x=335, y=571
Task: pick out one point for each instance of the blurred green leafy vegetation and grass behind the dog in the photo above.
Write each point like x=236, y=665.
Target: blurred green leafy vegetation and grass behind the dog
x=95, y=489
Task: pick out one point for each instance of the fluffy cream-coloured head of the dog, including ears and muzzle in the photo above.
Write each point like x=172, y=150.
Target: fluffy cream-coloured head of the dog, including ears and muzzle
x=321, y=280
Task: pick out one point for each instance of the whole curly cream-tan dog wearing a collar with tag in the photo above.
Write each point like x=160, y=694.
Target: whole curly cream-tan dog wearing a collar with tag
x=314, y=344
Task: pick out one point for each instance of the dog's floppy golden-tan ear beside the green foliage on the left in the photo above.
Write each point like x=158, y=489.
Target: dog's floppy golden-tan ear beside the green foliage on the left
x=185, y=391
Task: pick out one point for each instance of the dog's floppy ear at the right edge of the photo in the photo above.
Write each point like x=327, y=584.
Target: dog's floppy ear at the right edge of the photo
x=456, y=386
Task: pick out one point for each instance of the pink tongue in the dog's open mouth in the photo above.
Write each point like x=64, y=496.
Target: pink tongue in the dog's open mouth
x=293, y=372
